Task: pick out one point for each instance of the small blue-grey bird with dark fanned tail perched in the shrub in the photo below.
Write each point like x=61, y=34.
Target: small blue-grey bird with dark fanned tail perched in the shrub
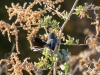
x=39, y=44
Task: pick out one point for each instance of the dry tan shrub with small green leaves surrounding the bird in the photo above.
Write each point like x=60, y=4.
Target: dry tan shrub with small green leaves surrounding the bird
x=33, y=20
